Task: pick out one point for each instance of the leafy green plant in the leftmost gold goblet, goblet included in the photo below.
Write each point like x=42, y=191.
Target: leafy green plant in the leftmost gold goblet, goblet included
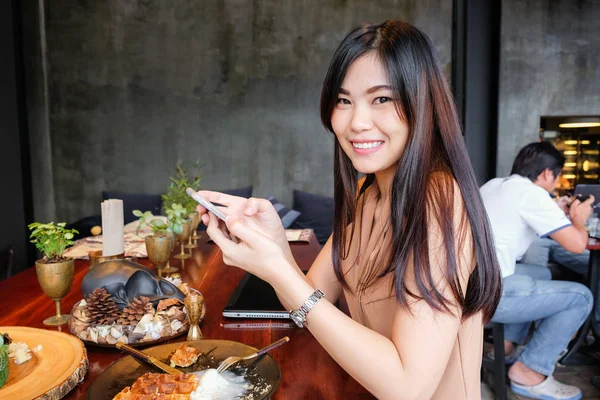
x=54, y=271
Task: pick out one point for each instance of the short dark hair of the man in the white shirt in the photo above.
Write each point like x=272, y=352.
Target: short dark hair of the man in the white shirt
x=534, y=158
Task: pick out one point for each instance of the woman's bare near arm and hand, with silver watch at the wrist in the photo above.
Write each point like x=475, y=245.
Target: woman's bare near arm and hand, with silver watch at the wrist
x=411, y=363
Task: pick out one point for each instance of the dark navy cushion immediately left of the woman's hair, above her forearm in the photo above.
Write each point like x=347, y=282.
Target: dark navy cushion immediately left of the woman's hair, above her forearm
x=316, y=212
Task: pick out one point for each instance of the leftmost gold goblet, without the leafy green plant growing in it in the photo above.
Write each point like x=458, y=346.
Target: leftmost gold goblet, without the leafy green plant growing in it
x=56, y=280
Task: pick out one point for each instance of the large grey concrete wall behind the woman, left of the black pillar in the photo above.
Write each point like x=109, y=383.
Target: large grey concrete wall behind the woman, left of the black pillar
x=135, y=85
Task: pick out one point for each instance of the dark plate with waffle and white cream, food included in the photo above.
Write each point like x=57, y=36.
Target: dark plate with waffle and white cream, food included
x=129, y=379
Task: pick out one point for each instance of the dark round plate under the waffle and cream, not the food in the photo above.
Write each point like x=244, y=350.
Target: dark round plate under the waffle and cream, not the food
x=264, y=372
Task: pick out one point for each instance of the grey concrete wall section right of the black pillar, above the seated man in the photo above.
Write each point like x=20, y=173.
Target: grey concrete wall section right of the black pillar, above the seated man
x=550, y=65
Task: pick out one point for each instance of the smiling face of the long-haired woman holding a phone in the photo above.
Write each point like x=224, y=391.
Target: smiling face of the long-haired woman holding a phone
x=365, y=118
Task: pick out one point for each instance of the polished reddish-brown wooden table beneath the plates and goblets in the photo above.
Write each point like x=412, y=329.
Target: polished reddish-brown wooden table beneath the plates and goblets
x=308, y=372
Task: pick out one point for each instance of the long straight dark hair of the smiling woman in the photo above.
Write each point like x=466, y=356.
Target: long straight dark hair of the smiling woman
x=419, y=191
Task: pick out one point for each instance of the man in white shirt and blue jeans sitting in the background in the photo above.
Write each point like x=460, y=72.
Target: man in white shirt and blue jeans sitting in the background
x=520, y=209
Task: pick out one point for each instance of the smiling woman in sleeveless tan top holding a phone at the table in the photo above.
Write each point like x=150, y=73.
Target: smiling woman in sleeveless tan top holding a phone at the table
x=411, y=248
